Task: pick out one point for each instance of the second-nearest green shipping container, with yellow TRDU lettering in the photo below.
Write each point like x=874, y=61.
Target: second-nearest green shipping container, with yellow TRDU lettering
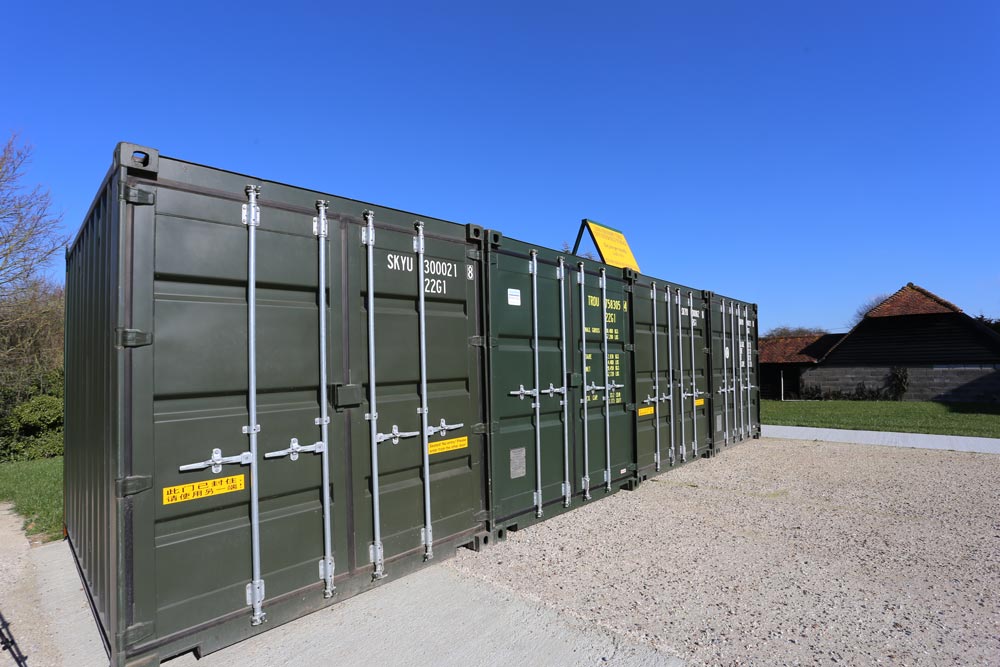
x=561, y=428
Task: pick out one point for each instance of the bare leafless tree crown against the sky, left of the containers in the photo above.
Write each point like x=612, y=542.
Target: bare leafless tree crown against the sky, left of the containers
x=29, y=232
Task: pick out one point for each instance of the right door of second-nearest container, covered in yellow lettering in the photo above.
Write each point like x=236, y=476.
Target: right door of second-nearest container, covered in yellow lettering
x=602, y=325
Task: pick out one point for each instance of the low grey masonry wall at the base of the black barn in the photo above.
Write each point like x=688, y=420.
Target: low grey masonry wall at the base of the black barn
x=972, y=384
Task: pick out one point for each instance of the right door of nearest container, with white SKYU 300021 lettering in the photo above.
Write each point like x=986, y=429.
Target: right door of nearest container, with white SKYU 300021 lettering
x=390, y=506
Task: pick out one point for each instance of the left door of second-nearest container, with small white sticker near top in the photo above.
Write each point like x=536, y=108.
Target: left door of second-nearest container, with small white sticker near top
x=532, y=457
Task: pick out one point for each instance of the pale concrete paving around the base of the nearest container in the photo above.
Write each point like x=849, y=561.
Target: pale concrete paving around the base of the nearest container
x=434, y=617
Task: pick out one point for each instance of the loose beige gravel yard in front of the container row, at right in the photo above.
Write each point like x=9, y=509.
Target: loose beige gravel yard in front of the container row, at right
x=781, y=552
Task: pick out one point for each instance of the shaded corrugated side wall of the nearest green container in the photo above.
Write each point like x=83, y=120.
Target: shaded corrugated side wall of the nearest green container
x=93, y=363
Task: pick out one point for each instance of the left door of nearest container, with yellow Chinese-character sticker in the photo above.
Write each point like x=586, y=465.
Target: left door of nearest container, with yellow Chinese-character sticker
x=193, y=546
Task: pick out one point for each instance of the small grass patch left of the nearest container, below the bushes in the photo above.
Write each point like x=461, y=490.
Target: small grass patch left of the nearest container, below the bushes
x=35, y=489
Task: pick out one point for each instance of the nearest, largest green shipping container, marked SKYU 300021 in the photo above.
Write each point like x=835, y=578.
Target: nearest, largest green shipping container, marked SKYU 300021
x=255, y=426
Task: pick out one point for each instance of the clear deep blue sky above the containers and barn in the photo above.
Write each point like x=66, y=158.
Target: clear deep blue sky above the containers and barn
x=802, y=155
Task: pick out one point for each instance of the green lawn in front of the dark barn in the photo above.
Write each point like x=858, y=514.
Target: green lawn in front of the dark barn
x=980, y=420
